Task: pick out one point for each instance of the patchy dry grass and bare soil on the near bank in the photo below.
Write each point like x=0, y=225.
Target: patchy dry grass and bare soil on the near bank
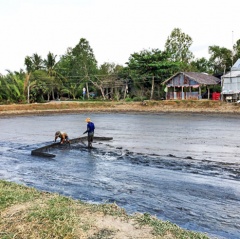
x=28, y=213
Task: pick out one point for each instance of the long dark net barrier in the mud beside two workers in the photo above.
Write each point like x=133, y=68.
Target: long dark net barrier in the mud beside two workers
x=44, y=151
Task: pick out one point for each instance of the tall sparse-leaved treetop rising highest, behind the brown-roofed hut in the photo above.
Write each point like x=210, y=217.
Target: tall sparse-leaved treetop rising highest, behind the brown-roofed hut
x=178, y=46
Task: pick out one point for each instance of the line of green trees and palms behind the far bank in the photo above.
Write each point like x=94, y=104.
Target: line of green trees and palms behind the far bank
x=48, y=79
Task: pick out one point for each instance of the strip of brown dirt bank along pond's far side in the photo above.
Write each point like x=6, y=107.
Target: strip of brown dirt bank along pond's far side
x=200, y=106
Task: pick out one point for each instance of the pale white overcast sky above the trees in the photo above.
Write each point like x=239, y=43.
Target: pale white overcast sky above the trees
x=115, y=29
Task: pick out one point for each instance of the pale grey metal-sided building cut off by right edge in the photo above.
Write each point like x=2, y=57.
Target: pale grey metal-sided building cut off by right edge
x=231, y=83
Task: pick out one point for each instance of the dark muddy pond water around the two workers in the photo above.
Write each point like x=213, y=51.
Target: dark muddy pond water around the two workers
x=184, y=168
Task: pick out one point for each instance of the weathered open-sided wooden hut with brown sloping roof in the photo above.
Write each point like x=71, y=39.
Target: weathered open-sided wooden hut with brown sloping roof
x=189, y=85
